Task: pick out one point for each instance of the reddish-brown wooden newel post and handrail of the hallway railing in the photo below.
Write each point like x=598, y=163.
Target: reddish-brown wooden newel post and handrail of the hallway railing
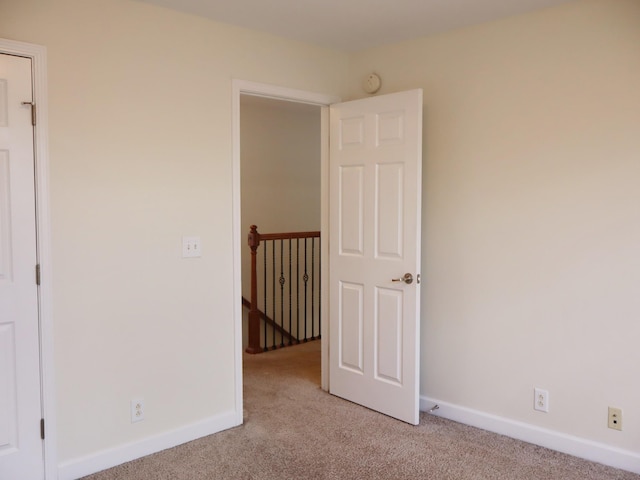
x=255, y=315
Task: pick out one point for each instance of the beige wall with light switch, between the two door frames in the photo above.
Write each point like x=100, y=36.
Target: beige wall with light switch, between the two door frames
x=140, y=148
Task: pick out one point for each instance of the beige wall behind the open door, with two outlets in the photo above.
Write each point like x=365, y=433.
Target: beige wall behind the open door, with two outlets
x=531, y=237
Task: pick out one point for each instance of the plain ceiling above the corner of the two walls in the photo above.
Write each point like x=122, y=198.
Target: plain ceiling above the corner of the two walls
x=352, y=25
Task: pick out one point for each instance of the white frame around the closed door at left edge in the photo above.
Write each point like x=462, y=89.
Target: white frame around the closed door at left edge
x=38, y=56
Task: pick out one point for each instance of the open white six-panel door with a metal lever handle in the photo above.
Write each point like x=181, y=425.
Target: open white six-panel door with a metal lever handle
x=374, y=259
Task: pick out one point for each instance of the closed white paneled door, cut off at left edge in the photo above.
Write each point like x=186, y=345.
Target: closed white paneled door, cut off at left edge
x=21, y=446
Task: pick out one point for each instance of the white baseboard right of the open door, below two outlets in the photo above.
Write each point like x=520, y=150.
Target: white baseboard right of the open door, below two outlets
x=576, y=446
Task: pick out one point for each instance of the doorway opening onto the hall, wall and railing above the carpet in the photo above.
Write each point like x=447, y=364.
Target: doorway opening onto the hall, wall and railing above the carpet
x=280, y=150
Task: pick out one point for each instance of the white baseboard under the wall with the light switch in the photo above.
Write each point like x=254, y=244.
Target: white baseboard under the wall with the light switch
x=80, y=467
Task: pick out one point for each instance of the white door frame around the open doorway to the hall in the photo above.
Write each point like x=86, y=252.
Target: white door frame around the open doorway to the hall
x=240, y=87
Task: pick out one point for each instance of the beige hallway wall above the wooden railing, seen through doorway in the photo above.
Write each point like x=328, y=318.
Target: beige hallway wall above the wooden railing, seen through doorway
x=280, y=165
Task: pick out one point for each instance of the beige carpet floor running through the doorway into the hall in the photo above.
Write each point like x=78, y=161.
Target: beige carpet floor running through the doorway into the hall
x=294, y=430
